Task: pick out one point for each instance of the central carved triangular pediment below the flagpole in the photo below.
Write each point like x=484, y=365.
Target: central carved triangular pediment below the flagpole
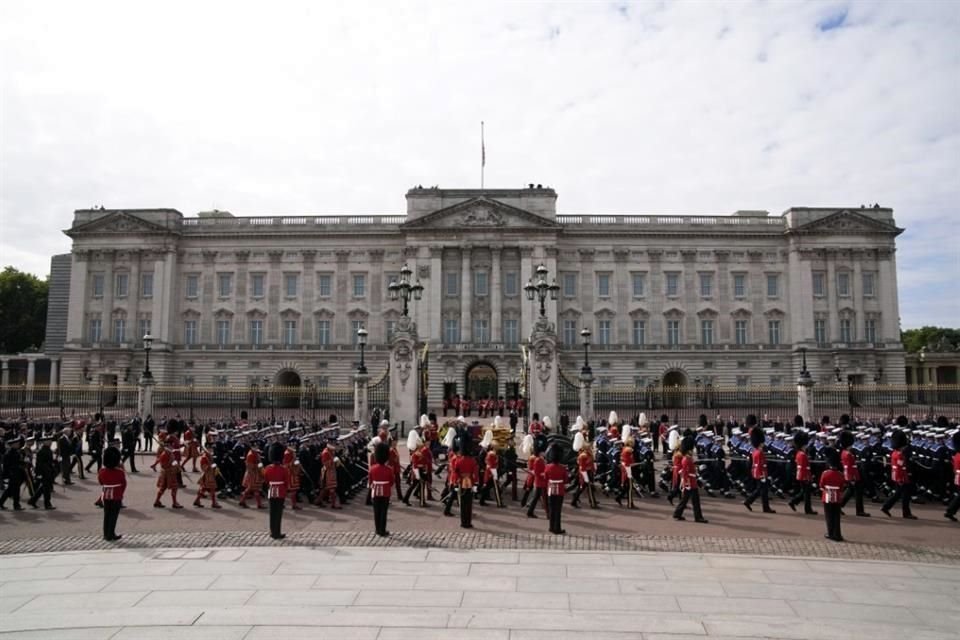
x=480, y=213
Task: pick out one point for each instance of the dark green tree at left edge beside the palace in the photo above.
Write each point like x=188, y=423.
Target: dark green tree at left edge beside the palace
x=23, y=311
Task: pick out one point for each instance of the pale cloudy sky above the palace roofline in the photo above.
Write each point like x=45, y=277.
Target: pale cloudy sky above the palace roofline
x=328, y=108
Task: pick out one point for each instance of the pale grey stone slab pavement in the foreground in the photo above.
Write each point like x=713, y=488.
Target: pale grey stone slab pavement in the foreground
x=421, y=594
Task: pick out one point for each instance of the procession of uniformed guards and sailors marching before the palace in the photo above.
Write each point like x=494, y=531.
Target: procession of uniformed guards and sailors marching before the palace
x=329, y=464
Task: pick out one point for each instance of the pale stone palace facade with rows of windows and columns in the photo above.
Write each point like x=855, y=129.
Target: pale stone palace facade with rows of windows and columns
x=723, y=300
